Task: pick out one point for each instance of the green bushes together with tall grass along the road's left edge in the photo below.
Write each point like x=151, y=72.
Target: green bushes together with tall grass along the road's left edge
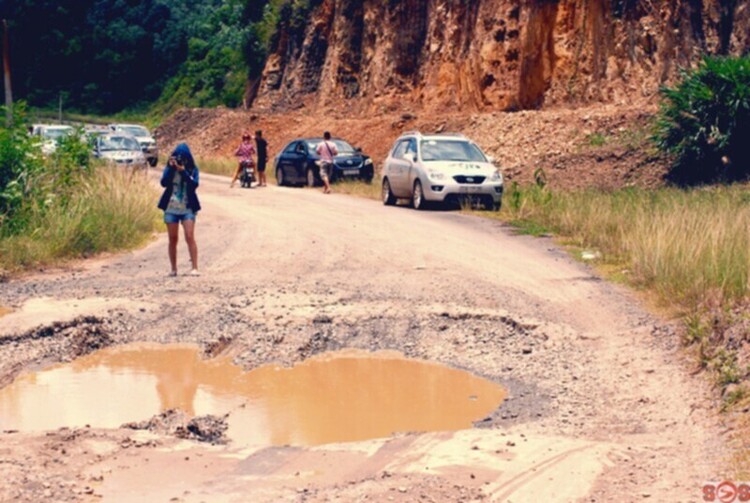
x=65, y=205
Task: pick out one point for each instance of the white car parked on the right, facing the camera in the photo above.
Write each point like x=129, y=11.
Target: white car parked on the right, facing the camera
x=440, y=168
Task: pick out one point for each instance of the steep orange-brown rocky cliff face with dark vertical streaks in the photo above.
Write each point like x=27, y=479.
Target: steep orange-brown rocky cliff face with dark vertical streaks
x=492, y=54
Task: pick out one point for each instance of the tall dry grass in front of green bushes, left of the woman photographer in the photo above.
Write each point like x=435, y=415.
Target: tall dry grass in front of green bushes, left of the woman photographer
x=111, y=209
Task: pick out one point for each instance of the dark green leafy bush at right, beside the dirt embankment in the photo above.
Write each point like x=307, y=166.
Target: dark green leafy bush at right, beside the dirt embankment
x=704, y=122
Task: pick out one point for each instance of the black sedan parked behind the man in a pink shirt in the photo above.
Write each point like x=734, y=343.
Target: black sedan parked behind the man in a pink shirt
x=295, y=164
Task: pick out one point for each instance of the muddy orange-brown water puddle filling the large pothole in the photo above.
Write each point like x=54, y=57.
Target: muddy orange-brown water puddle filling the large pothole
x=345, y=396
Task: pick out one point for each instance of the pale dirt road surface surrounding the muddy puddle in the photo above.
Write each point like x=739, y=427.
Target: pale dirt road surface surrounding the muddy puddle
x=601, y=408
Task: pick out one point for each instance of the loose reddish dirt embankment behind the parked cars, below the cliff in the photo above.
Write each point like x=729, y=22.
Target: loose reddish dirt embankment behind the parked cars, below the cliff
x=602, y=146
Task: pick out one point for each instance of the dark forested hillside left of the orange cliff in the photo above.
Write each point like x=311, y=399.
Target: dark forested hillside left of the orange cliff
x=103, y=56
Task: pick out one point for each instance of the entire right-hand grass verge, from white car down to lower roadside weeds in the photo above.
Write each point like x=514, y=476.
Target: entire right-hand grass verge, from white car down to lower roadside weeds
x=690, y=249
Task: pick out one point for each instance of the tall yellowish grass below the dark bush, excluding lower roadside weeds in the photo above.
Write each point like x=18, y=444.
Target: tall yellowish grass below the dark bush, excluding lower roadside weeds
x=683, y=244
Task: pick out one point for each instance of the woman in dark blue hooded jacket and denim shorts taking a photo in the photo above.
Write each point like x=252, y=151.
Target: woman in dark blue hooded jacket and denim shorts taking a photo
x=180, y=204
